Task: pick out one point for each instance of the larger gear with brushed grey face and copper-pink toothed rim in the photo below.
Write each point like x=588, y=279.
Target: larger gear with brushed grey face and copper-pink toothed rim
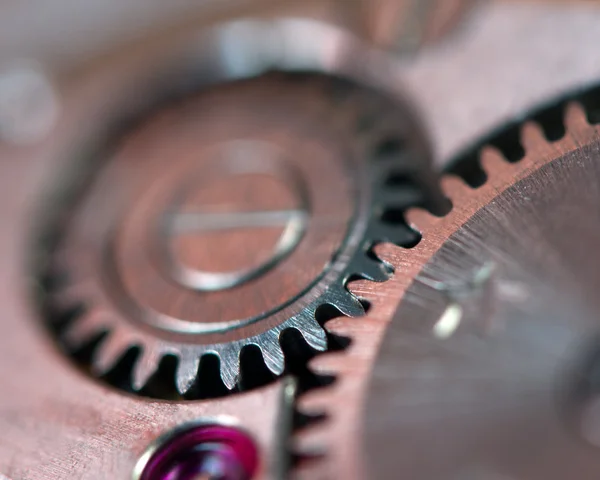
x=469, y=352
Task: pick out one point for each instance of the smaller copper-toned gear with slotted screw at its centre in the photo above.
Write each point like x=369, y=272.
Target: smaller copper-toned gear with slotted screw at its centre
x=235, y=215
